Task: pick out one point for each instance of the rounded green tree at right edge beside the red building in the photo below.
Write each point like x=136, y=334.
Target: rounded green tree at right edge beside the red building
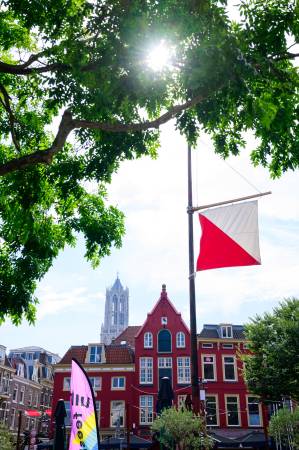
x=272, y=369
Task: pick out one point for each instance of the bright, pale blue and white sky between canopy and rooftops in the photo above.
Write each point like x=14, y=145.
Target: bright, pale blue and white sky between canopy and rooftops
x=153, y=196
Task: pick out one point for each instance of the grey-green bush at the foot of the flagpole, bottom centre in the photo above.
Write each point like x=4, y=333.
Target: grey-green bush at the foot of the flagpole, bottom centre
x=180, y=428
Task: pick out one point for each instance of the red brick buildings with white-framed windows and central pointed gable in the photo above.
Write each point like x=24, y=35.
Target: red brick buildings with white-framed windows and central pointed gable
x=126, y=375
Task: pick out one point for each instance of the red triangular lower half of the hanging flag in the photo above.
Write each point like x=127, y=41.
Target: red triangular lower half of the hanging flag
x=217, y=249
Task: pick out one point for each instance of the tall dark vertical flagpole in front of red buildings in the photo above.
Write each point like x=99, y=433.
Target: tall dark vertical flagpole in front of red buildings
x=193, y=331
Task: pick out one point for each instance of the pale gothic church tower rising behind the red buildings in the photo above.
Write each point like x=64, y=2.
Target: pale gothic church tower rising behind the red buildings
x=116, y=312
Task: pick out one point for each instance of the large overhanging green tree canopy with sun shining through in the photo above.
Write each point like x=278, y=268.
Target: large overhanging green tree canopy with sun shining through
x=81, y=64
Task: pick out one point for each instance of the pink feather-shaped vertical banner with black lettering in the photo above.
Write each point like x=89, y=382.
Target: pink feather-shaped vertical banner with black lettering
x=84, y=432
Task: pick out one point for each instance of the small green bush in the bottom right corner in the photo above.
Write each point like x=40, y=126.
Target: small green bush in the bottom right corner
x=284, y=428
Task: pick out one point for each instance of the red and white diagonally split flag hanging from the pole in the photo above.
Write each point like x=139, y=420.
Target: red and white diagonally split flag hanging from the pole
x=229, y=236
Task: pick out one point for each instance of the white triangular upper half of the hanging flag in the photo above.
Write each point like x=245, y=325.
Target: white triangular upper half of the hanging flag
x=240, y=222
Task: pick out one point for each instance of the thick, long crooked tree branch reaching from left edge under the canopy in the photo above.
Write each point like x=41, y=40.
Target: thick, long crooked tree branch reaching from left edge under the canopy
x=68, y=124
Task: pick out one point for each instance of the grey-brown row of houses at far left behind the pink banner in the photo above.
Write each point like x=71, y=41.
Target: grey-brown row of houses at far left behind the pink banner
x=26, y=388
